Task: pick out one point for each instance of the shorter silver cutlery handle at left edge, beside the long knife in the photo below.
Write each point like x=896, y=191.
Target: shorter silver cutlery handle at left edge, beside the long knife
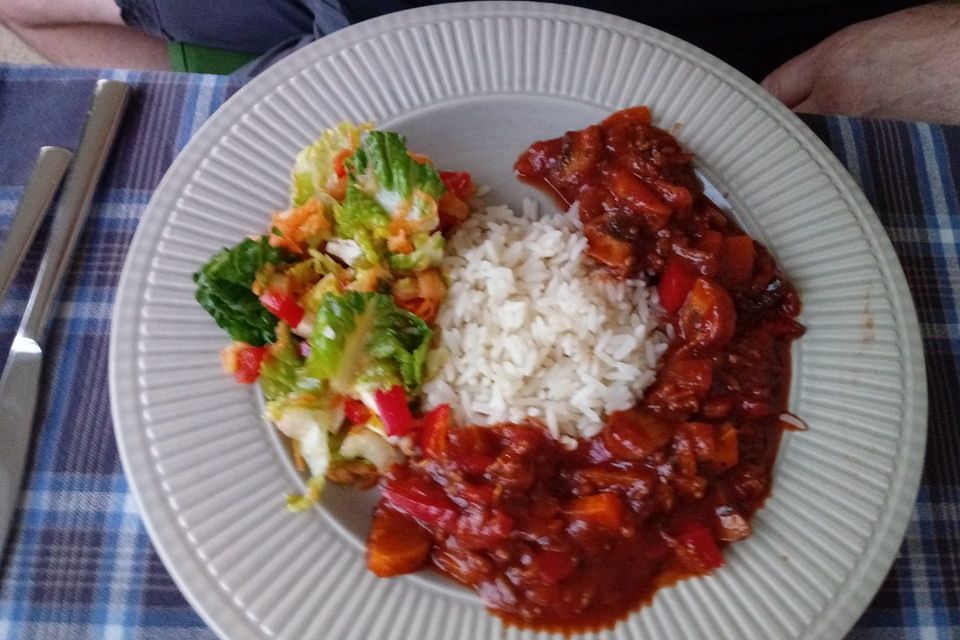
x=44, y=181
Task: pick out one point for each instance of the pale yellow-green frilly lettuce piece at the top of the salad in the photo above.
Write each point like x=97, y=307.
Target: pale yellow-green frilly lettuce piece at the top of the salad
x=314, y=173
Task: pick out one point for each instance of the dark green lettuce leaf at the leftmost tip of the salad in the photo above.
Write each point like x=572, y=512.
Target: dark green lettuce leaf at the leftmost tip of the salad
x=223, y=290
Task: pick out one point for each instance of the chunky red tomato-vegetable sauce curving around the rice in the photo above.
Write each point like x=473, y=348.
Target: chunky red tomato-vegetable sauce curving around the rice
x=572, y=540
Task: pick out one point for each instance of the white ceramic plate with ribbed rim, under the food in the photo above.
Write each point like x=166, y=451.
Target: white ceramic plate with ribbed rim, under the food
x=472, y=86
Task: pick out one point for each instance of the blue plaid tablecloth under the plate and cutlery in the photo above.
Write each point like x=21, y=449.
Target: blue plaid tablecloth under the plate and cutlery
x=80, y=565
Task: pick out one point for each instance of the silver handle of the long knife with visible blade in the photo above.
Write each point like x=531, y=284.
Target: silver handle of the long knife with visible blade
x=109, y=101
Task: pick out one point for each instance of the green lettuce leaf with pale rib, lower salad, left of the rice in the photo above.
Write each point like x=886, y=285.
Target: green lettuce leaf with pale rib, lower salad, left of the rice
x=363, y=341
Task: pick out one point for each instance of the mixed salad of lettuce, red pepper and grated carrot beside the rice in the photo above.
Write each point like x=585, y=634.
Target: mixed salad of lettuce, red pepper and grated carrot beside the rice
x=331, y=310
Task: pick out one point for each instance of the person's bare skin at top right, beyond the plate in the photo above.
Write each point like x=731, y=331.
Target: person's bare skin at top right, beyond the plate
x=903, y=66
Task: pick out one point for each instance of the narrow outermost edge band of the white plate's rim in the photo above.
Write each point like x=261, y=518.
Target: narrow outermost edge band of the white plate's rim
x=198, y=586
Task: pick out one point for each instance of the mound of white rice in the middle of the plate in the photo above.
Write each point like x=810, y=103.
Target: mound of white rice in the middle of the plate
x=528, y=331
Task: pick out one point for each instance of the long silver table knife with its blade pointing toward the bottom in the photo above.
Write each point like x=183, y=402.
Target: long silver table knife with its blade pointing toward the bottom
x=21, y=374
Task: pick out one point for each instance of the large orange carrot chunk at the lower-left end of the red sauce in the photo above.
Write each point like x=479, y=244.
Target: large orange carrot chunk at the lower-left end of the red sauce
x=396, y=544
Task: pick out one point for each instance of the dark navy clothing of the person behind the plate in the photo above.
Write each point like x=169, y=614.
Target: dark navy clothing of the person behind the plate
x=752, y=35
